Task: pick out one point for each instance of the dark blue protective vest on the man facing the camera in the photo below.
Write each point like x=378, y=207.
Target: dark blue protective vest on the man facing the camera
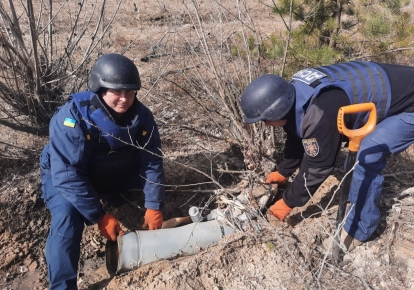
x=113, y=158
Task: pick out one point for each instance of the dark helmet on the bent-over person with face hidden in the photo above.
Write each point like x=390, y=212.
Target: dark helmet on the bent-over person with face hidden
x=267, y=98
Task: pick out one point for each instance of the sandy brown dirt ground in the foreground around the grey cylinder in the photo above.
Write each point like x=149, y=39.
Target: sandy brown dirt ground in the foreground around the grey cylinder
x=282, y=255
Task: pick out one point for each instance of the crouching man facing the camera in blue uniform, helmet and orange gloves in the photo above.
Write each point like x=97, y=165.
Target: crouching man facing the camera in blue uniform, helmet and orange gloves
x=102, y=142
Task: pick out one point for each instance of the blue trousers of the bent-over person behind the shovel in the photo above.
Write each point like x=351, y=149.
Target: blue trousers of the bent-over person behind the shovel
x=391, y=136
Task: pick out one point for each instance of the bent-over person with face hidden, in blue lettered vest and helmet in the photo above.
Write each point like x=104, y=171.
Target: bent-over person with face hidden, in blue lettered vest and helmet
x=307, y=109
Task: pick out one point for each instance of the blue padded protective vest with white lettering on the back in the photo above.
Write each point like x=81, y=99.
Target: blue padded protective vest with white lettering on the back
x=362, y=81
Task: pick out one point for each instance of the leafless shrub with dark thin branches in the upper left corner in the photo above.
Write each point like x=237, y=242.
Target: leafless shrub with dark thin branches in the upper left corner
x=44, y=54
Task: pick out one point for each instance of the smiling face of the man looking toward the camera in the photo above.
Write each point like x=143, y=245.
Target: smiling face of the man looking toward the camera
x=119, y=100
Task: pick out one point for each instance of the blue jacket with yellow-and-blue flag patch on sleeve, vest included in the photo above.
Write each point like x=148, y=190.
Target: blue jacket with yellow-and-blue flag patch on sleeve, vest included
x=89, y=153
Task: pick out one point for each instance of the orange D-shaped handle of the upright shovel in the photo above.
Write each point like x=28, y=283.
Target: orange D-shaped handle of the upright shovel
x=355, y=136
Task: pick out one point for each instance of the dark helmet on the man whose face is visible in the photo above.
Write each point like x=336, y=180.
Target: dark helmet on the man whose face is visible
x=114, y=71
